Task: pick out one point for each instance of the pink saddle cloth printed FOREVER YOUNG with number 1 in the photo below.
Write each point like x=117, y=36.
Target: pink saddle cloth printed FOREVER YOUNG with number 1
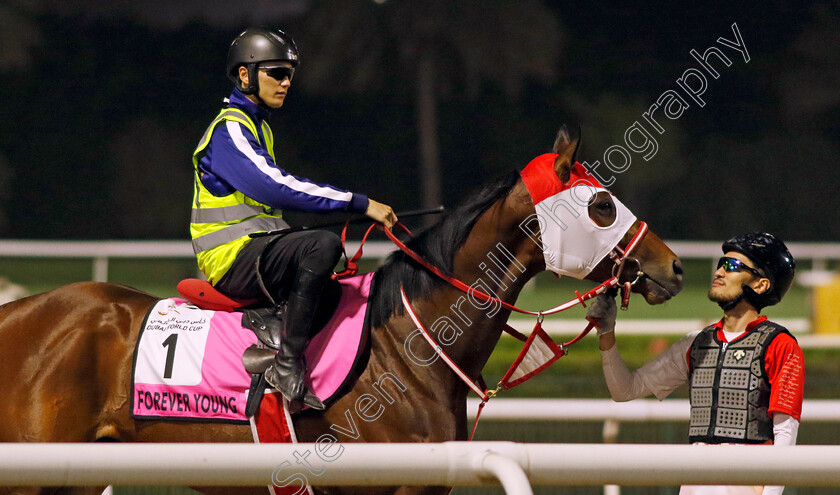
x=188, y=360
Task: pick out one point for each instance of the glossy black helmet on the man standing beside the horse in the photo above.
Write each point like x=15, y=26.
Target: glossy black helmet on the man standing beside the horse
x=772, y=258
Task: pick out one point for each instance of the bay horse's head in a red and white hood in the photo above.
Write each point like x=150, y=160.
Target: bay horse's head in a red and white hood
x=582, y=226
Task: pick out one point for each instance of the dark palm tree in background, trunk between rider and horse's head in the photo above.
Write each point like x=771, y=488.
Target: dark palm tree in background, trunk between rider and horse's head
x=358, y=45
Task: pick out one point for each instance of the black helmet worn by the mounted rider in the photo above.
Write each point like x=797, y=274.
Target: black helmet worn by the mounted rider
x=255, y=45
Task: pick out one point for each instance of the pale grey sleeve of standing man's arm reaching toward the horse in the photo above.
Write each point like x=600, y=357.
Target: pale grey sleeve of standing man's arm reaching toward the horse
x=659, y=377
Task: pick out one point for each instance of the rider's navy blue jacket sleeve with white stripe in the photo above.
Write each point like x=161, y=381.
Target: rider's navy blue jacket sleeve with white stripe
x=238, y=159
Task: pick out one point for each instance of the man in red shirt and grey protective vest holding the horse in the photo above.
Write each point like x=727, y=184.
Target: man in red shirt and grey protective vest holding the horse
x=746, y=373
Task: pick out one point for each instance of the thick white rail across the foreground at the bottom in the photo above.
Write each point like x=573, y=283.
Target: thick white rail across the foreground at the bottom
x=449, y=463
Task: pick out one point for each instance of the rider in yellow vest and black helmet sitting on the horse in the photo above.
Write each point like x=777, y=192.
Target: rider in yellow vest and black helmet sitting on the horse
x=240, y=189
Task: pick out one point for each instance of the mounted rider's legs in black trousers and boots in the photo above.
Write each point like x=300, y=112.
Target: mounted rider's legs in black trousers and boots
x=295, y=267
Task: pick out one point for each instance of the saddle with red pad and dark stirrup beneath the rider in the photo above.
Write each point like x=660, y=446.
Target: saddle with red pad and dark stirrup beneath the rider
x=257, y=358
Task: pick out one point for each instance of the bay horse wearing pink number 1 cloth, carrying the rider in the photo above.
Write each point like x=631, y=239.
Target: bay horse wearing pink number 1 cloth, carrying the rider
x=66, y=355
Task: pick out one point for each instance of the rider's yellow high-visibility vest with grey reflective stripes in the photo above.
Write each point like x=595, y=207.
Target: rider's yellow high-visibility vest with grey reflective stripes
x=219, y=225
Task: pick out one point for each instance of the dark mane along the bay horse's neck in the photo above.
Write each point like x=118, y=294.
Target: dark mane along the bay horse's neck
x=437, y=245
